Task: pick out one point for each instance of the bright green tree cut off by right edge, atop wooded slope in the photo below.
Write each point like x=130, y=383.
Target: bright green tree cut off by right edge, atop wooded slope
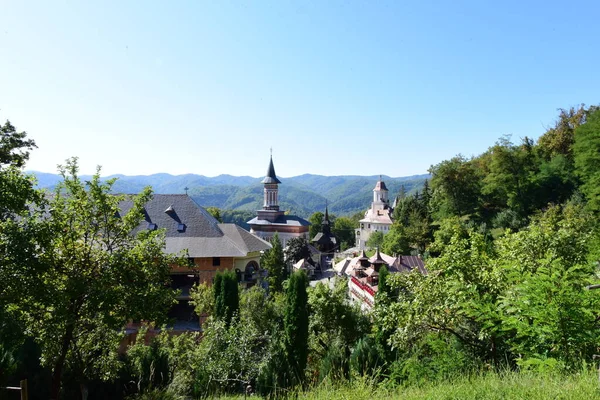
x=587, y=158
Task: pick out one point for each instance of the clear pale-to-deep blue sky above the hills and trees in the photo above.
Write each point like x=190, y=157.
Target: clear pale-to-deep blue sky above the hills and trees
x=333, y=87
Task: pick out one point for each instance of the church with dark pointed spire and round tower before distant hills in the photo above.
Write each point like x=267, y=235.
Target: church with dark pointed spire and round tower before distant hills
x=271, y=219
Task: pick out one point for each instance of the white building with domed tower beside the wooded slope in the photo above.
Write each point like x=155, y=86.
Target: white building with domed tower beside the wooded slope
x=378, y=218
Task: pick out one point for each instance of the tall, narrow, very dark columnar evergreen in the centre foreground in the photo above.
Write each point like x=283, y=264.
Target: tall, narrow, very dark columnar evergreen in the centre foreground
x=296, y=324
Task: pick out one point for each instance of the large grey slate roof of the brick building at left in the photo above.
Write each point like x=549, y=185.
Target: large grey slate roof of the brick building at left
x=203, y=235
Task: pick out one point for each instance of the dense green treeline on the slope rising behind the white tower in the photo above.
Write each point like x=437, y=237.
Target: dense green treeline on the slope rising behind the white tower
x=503, y=187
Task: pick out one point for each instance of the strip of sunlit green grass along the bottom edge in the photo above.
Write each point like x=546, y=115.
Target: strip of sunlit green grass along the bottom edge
x=490, y=386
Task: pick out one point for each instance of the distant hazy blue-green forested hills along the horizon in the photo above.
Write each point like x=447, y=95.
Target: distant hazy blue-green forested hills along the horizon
x=302, y=195
